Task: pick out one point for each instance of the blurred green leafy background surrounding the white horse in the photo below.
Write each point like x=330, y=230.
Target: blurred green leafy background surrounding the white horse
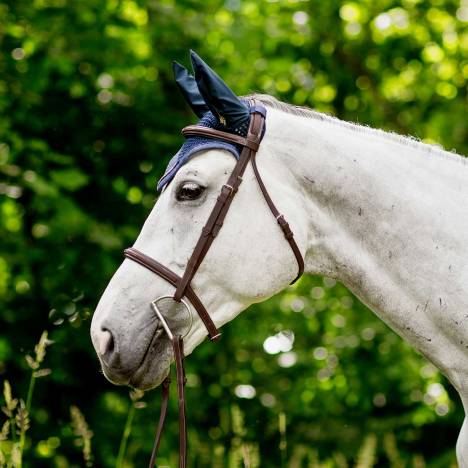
x=90, y=116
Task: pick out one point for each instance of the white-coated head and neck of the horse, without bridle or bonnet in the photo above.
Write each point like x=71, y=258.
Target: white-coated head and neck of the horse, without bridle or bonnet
x=385, y=215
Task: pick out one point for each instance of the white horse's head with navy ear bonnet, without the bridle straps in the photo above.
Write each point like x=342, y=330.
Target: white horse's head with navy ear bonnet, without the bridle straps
x=247, y=262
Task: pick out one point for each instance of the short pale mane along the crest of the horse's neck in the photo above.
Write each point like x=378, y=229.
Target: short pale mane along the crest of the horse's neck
x=409, y=141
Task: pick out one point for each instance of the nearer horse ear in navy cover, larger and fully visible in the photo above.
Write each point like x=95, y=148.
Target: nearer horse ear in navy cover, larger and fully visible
x=224, y=104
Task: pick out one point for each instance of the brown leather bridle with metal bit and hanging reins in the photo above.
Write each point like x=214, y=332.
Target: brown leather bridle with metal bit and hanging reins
x=250, y=145
